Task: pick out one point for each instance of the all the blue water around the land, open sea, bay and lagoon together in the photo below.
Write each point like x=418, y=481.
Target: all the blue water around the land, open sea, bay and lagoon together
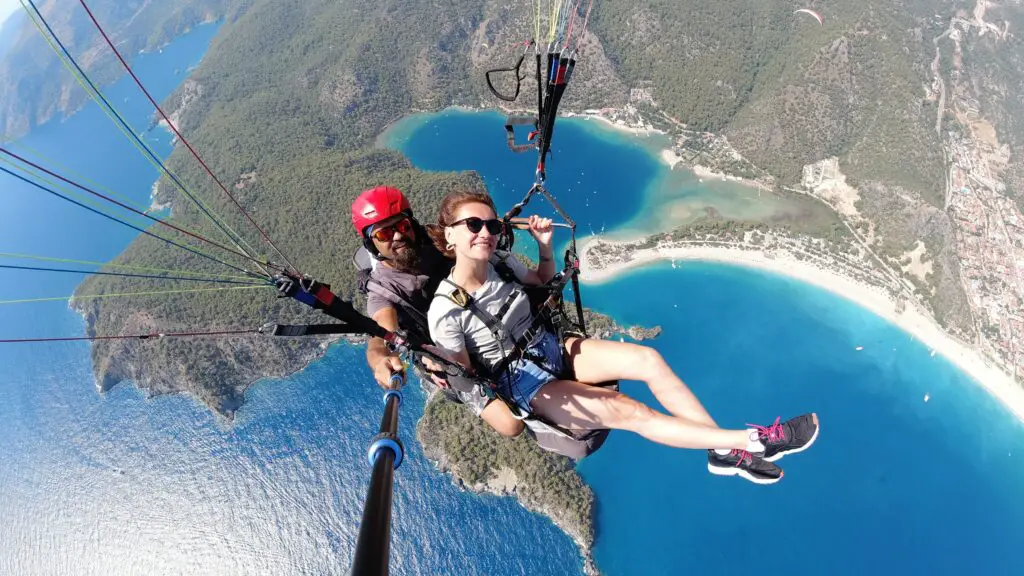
x=118, y=483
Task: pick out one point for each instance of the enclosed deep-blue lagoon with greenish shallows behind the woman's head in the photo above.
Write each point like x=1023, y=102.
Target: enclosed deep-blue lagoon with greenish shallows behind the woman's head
x=610, y=178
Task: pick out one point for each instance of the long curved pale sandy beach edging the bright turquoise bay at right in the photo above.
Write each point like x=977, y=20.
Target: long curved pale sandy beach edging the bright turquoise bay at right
x=913, y=320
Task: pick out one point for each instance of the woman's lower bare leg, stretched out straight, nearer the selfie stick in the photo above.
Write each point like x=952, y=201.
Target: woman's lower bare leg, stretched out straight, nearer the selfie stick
x=576, y=405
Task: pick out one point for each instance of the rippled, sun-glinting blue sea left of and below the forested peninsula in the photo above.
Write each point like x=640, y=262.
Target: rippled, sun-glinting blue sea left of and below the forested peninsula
x=120, y=484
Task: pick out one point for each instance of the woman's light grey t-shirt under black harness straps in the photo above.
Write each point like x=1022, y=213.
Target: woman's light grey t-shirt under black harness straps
x=456, y=328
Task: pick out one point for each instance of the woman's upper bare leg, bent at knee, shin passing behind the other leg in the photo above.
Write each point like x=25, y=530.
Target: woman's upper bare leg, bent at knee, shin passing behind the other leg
x=600, y=361
